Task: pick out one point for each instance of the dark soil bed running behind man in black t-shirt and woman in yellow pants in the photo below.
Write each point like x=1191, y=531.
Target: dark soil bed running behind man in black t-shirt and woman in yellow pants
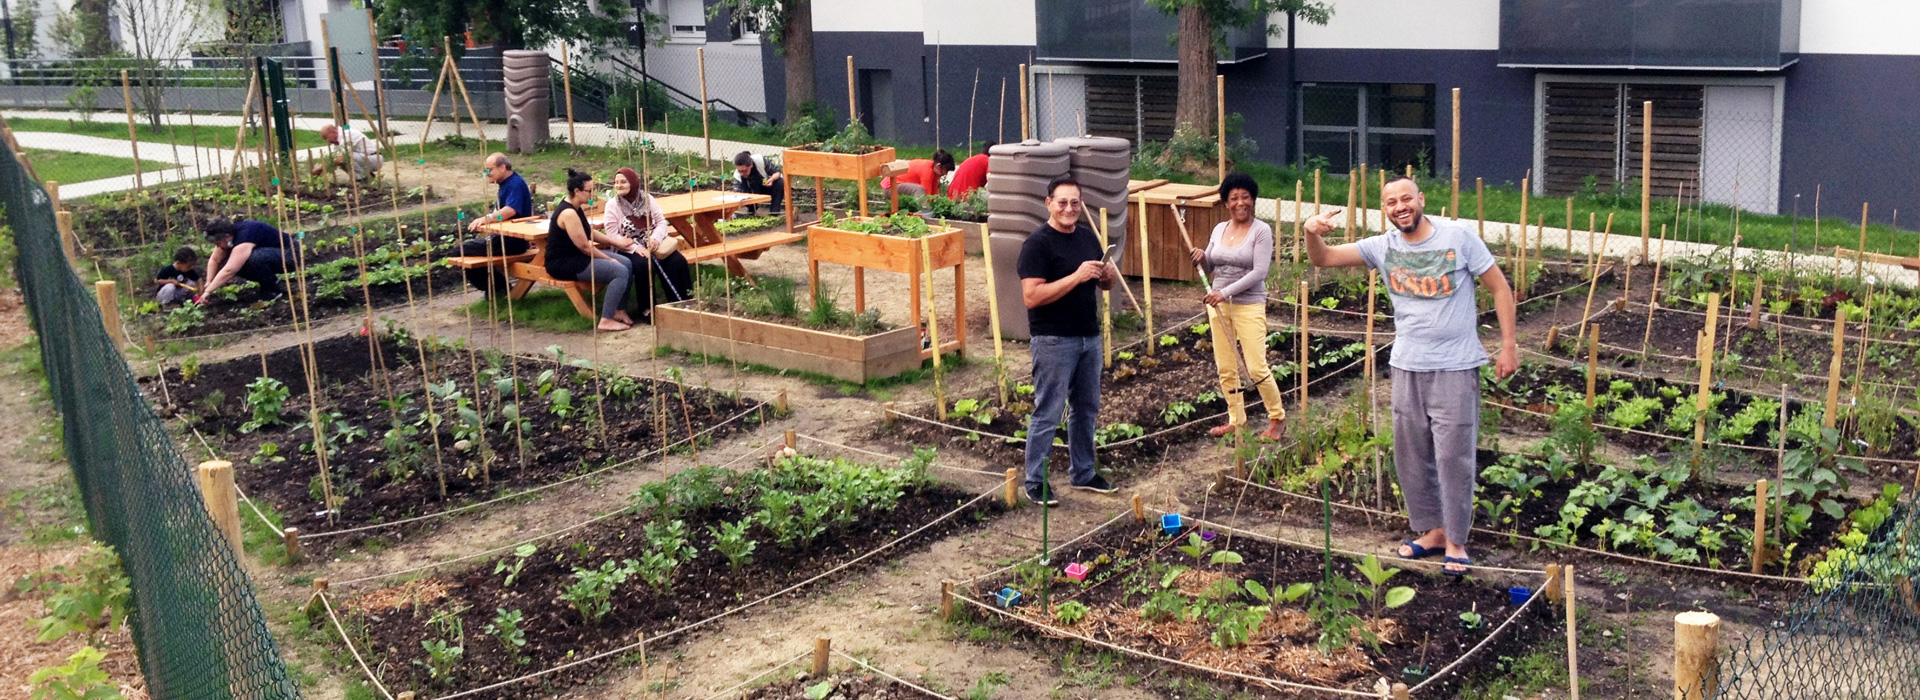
x=1140, y=390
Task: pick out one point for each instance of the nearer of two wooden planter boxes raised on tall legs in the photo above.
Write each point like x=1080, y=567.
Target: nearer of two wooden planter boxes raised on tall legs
x=894, y=254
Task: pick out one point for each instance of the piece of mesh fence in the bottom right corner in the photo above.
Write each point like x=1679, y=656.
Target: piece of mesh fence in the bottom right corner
x=1854, y=634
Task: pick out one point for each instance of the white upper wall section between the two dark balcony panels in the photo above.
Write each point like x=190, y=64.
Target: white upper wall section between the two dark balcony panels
x=1403, y=24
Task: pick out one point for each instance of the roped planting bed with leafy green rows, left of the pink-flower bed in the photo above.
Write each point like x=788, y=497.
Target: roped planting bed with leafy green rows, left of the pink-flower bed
x=694, y=546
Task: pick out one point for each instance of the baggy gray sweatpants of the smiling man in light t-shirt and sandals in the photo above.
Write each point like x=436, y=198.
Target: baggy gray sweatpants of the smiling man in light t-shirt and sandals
x=1437, y=425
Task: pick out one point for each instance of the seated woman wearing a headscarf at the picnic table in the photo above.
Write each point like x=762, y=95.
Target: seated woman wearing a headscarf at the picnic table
x=636, y=229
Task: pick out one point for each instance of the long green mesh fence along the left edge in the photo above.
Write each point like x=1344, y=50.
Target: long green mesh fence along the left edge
x=195, y=620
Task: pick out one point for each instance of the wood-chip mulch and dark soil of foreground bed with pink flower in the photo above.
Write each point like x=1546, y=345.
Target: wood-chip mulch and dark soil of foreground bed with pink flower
x=1424, y=632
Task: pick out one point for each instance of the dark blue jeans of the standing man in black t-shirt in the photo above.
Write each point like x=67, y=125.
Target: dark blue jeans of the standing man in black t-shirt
x=1067, y=371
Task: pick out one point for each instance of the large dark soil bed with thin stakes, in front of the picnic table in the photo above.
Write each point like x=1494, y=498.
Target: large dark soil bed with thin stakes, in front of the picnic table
x=381, y=486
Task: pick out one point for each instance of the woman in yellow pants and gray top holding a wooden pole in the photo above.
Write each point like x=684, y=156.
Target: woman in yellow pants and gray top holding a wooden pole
x=1237, y=256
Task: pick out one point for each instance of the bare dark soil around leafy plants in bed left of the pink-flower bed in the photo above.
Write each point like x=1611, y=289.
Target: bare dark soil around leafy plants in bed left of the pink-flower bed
x=393, y=622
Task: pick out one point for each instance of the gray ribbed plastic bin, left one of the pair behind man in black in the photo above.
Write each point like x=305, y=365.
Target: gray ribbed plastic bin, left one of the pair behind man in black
x=1017, y=206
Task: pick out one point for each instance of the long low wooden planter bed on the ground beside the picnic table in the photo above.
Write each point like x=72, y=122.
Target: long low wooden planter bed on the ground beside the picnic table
x=788, y=348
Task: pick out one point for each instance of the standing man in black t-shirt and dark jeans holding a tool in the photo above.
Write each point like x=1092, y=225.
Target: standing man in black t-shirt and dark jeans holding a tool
x=1061, y=268
